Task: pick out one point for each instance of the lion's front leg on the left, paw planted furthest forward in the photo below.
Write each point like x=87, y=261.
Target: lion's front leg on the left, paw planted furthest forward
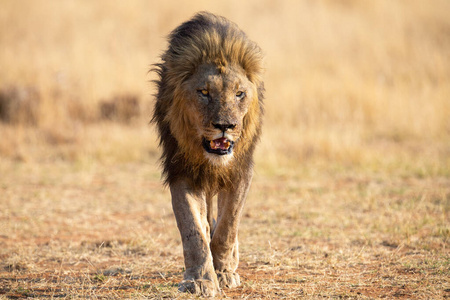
x=191, y=215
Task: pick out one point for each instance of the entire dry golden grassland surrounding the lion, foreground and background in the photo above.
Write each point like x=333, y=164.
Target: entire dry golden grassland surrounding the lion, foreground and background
x=351, y=194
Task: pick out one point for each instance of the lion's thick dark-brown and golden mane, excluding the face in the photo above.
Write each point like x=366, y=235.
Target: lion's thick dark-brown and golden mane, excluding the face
x=205, y=39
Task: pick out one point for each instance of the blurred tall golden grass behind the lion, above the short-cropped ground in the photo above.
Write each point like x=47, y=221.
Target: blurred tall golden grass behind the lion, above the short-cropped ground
x=350, y=84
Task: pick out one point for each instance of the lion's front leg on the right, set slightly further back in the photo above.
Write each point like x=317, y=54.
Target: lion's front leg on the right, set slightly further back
x=224, y=244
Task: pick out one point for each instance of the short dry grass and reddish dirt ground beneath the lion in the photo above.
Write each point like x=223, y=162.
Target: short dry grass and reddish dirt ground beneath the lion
x=96, y=231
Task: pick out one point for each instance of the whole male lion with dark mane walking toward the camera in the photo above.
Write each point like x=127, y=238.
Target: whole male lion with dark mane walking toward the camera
x=208, y=112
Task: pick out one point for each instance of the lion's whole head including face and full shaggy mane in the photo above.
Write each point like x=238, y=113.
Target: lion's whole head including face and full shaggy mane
x=209, y=100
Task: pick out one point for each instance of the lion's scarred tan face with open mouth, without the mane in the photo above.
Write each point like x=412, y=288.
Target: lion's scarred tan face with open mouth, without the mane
x=219, y=99
